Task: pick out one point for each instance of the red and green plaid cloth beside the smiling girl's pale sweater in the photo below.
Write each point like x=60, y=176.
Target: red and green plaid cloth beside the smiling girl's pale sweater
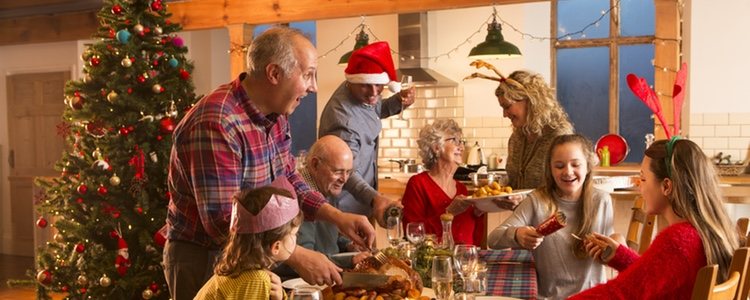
x=510, y=273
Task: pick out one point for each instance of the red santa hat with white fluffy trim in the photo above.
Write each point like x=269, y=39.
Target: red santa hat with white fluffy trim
x=372, y=64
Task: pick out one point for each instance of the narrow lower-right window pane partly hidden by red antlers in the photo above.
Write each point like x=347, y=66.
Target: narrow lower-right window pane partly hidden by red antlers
x=635, y=117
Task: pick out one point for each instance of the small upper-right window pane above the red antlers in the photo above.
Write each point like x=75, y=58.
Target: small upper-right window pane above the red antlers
x=637, y=17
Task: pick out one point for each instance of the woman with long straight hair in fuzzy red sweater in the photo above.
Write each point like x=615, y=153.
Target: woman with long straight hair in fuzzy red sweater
x=679, y=183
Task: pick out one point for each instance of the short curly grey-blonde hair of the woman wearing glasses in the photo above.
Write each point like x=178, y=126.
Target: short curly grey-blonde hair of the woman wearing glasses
x=433, y=134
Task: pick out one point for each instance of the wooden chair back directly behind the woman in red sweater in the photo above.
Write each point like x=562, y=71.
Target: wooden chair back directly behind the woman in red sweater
x=706, y=287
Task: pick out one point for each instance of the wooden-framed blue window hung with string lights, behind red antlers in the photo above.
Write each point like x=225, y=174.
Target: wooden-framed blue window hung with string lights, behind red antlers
x=589, y=67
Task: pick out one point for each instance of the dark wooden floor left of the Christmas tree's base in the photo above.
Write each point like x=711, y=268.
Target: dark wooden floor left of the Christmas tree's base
x=14, y=267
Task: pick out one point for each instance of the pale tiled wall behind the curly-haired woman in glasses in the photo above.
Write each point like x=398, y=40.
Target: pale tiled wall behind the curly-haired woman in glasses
x=399, y=138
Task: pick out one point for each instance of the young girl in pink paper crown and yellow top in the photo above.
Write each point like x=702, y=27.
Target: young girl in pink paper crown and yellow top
x=263, y=227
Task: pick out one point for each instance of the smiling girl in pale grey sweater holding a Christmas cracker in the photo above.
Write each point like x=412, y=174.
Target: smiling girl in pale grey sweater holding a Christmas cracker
x=561, y=262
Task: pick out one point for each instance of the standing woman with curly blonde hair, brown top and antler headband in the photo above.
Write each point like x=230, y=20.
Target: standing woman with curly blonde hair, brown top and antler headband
x=537, y=118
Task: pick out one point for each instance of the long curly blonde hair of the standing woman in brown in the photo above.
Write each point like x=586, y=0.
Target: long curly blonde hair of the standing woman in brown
x=543, y=110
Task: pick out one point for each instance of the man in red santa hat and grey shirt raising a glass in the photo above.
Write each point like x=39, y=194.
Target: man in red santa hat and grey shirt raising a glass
x=353, y=113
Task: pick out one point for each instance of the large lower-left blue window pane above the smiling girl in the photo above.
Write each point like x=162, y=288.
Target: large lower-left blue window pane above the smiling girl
x=583, y=88
